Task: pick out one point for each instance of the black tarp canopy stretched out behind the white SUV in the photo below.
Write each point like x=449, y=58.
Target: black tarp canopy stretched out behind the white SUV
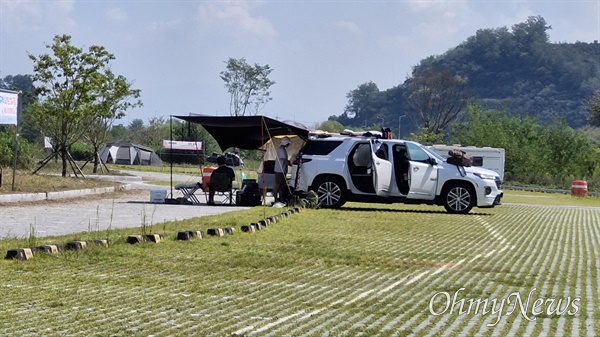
x=245, y=132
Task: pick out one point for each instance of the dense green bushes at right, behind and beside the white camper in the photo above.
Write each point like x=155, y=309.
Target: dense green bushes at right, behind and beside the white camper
x=534, y=152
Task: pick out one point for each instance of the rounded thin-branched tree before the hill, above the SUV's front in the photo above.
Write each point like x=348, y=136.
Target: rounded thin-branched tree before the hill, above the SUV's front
x=437, y=98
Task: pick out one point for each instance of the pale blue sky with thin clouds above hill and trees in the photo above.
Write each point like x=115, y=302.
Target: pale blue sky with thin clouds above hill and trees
x=175, y=50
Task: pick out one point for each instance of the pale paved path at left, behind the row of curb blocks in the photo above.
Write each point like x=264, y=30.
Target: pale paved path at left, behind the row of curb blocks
x=86, y=213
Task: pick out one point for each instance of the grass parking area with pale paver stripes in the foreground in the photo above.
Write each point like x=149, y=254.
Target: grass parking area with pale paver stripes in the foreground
x=363, y=270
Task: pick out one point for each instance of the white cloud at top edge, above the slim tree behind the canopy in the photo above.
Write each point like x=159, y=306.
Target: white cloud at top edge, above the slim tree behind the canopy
x=234, y=19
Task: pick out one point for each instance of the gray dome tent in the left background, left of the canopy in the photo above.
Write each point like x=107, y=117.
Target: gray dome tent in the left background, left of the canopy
x=123, y=152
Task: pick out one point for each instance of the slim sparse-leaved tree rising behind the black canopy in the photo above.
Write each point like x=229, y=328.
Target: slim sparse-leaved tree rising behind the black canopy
x=248, y=86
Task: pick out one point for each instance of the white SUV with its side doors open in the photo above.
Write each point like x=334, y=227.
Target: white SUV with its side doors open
x=369, y=169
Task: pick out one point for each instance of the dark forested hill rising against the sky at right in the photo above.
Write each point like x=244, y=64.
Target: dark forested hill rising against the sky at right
x=517, y=69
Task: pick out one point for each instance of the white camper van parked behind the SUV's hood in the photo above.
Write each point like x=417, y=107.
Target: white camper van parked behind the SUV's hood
x=490, y=158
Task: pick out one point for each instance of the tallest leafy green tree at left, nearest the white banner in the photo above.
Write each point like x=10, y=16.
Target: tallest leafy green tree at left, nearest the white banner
x=72, y=86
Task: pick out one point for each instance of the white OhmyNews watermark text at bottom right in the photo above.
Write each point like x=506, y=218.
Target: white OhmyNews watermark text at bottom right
x=445, y=303
